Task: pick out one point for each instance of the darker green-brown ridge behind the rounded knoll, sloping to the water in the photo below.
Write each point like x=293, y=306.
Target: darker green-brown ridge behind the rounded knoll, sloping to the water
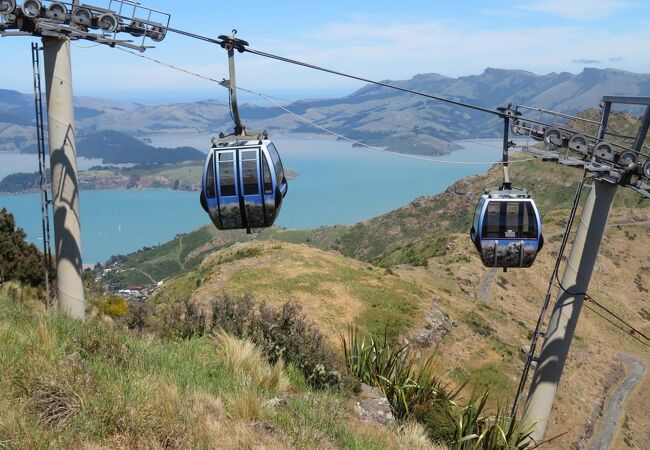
x=409, y=234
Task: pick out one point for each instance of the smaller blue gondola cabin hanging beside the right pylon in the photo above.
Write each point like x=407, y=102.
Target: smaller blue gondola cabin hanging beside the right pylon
x=507, y=229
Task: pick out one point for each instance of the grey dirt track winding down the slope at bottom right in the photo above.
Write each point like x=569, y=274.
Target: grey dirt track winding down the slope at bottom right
x=608, y=425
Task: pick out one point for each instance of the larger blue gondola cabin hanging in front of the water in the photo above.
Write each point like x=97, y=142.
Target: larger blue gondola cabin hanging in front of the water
x=243, y=184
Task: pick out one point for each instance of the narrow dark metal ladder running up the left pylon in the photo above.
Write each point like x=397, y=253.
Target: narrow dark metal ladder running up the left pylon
x=42, y=170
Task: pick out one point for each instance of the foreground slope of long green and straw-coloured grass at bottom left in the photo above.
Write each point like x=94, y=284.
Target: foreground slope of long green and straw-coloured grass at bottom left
x=122, y=390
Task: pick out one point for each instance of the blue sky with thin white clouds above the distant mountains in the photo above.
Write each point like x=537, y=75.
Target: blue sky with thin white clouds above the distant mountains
x=376, y=39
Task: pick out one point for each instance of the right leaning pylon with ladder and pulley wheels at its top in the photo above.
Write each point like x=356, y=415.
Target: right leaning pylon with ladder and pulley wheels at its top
x=610, y=165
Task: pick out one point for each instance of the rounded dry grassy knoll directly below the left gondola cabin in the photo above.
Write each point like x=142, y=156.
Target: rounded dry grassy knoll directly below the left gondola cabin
x=333, y=290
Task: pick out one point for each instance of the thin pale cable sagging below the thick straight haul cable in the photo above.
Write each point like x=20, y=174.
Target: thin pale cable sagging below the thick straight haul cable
x=315, y=125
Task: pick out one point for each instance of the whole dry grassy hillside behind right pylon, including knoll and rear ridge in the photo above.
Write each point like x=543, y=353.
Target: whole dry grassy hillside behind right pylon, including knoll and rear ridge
x=478, y=320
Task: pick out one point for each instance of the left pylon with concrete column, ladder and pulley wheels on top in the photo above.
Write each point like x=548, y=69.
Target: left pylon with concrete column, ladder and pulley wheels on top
x=57, y=23
